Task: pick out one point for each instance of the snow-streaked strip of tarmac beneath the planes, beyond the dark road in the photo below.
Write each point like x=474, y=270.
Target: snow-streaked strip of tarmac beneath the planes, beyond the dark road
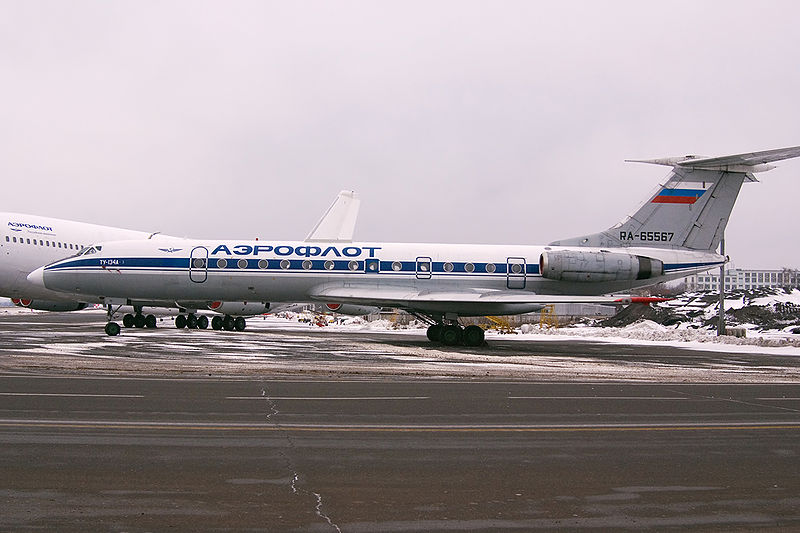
x=75, y=343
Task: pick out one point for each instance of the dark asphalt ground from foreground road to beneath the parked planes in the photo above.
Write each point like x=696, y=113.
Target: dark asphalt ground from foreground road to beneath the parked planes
x=85, y=449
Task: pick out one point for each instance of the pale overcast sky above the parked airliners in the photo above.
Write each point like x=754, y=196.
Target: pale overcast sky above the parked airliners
x=493, y=122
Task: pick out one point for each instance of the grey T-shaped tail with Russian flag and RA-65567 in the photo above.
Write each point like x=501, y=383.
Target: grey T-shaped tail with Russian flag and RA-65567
x=690, y=211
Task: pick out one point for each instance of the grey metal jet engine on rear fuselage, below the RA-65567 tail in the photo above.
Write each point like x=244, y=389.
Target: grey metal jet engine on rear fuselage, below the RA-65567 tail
x=598, y=266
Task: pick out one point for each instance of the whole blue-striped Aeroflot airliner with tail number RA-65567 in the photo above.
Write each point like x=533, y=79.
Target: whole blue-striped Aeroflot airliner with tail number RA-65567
x=675, y=233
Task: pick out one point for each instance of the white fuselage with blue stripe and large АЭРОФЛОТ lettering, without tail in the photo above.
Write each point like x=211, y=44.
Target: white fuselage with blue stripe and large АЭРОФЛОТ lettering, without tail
x=301, y=272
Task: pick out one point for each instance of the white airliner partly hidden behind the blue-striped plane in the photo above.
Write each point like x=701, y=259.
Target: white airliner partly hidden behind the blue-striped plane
x=31, y=241
